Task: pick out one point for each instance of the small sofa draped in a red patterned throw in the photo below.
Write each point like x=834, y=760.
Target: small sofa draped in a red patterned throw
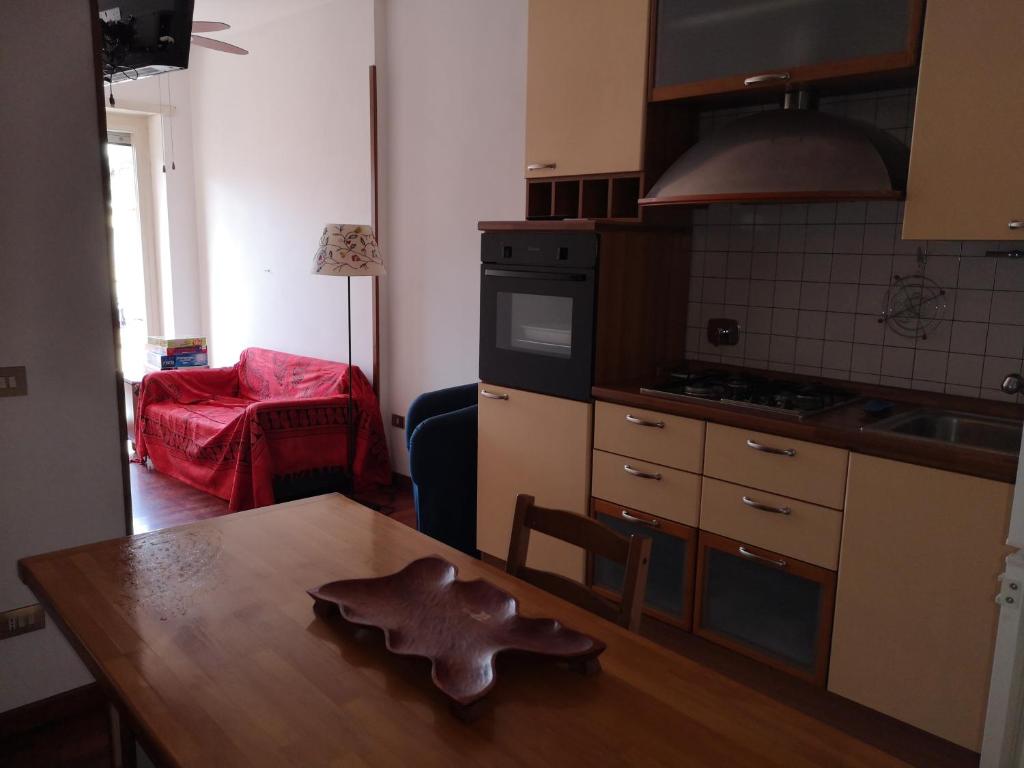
x=234, y=432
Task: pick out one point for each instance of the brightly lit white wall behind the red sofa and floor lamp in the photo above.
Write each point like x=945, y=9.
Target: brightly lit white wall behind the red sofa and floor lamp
x=282, y=146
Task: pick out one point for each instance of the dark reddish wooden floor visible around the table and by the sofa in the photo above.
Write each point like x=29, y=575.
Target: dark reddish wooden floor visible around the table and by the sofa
x=161, y=502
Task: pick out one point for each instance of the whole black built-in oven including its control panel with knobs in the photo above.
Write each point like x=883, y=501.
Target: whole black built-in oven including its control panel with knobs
x=538, y=293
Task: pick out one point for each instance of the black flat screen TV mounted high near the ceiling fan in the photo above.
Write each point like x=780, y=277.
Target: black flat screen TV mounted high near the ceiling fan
x=145, y=37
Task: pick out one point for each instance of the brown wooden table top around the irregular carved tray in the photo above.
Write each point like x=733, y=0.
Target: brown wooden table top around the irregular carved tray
x=205, y=637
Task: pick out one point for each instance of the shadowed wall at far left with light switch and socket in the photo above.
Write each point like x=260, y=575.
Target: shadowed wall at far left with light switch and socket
x=61, y=472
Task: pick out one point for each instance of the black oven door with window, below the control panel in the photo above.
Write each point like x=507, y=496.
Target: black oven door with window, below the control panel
x=537, y=329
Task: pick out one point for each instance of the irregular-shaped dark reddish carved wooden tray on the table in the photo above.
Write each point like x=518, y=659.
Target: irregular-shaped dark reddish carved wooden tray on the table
x=461, y=627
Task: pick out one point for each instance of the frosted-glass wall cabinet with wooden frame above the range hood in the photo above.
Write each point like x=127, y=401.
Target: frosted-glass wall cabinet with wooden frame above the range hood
x=709, y=47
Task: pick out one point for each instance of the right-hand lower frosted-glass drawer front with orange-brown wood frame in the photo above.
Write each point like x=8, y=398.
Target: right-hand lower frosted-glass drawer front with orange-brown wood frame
x=765, y=606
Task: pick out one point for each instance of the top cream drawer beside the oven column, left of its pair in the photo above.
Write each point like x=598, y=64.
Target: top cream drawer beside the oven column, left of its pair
x=669, y=441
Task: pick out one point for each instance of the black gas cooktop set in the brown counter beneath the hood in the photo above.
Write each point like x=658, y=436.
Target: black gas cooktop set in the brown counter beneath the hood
x=762, y=394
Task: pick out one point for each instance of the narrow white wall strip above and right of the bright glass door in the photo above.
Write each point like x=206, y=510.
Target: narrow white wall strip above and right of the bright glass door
x=175, y=197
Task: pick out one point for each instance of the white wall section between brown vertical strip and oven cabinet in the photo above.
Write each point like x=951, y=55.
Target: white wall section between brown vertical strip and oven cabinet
x=453, y=79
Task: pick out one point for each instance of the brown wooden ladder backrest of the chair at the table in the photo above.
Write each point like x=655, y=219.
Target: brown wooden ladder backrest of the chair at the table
x=632, y=552
